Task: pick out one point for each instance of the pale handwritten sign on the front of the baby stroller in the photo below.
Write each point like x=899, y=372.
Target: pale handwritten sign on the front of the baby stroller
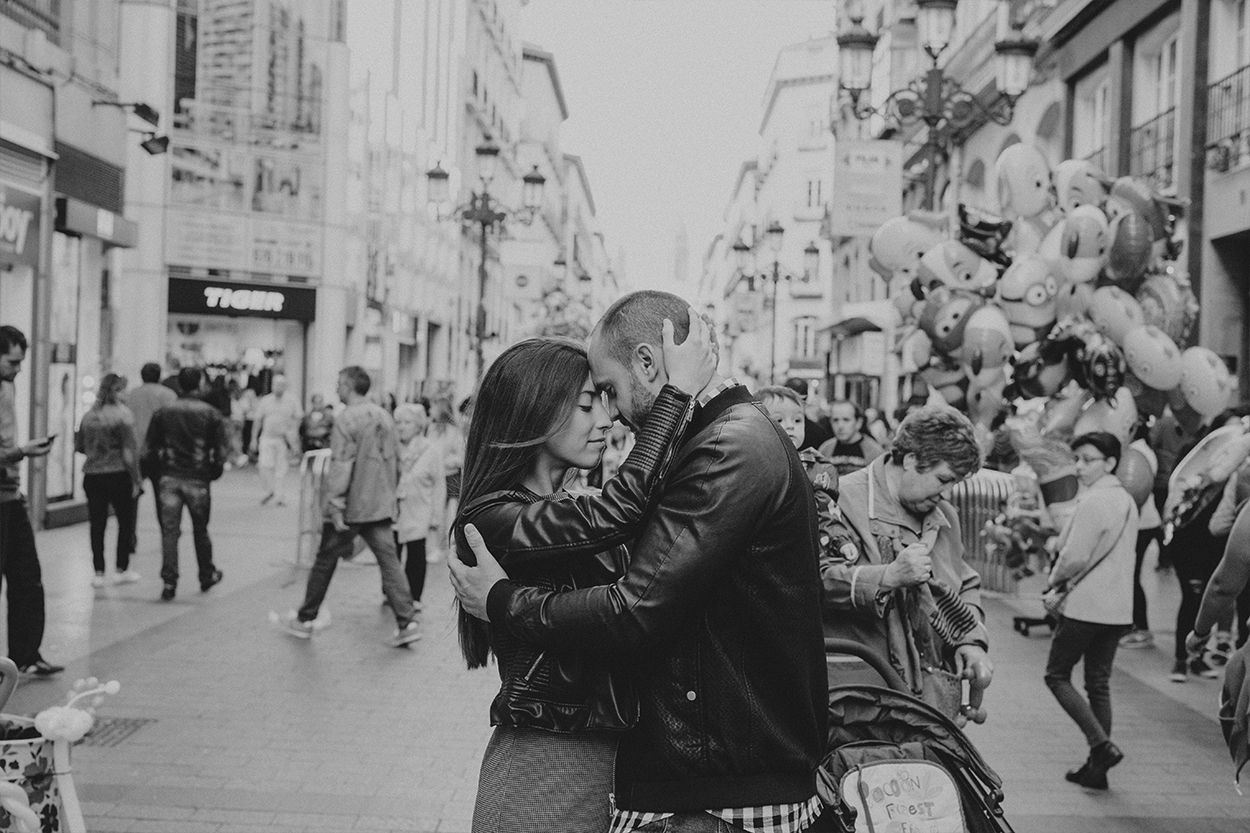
x=903, y=797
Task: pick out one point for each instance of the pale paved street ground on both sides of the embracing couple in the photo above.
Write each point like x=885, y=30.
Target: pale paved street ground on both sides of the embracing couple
x=254, y=731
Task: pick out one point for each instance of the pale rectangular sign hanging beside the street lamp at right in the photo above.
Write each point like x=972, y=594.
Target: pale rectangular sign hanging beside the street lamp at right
x=868, y=187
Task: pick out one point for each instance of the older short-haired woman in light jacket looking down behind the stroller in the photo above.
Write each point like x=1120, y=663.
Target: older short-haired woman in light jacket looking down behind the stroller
x=902, y=586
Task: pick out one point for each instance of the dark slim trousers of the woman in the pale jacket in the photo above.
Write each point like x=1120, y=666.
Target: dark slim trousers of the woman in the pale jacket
x=1097, y=644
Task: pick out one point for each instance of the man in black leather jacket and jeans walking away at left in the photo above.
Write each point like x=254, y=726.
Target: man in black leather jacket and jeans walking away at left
x=187, y=450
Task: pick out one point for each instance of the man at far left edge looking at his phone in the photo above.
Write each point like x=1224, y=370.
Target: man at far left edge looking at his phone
x=19, y=560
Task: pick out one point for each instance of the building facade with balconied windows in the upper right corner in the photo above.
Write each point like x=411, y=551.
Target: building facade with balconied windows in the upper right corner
x=1162, y=91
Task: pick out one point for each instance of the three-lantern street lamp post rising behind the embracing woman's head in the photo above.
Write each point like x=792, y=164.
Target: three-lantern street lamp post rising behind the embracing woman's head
x=486, y=213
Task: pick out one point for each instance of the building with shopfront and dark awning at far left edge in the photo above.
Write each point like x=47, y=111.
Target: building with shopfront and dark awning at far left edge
x=63, y=163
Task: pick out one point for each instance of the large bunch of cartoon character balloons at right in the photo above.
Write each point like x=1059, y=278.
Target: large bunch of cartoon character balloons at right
x=1073, y=295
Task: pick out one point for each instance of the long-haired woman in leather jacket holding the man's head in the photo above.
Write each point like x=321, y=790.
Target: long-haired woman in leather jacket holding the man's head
x=538, y=418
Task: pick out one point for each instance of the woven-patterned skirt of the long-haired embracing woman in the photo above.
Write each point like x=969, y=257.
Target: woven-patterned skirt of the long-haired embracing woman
x=541, y=782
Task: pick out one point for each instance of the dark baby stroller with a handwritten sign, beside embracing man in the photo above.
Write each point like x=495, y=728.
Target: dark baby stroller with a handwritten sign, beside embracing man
x=894, y=764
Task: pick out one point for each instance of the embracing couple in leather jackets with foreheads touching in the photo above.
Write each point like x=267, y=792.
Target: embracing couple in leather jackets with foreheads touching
x=661, y=644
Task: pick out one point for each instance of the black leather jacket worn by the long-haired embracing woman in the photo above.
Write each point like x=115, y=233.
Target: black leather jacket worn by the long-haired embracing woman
x=564, y=543
